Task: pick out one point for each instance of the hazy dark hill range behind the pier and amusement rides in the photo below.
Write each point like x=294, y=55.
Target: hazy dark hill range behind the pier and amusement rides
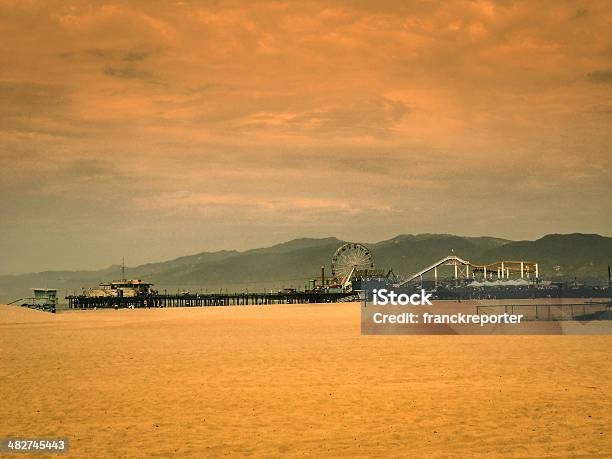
x=292, y=263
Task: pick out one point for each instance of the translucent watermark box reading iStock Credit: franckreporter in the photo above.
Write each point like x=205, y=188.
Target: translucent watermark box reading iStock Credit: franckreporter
x=387, y=312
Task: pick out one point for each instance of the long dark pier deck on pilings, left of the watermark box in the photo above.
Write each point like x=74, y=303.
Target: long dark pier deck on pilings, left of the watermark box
x=207, y=299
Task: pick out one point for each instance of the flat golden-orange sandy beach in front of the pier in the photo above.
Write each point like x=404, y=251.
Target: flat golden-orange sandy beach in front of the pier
x=295, y=380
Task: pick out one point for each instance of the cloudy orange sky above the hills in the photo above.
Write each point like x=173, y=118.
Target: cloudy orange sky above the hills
x=154, y=129
